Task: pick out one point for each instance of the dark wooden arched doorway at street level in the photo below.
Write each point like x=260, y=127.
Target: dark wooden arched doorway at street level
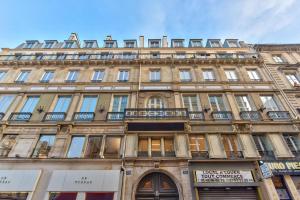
x=156, y=186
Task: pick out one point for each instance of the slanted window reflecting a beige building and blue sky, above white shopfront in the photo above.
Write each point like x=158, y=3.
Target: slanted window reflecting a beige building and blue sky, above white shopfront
x=44, y=146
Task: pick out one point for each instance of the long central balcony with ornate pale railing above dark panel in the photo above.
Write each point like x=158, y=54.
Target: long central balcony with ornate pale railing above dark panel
x=153, y=114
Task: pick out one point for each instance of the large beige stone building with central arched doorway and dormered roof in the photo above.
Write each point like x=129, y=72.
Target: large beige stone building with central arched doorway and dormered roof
x=167, y=121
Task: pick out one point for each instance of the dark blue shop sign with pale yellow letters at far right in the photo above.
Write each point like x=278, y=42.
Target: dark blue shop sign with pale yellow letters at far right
x=284, y=167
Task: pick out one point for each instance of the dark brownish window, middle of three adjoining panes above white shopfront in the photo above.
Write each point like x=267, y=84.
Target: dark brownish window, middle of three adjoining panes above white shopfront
x=93, y=147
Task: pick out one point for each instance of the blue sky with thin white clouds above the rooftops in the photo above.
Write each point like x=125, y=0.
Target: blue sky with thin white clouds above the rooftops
x=255, y=21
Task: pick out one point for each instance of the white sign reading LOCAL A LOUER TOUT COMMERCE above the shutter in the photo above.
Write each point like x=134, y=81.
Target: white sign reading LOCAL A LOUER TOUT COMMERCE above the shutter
x=224, y=176
